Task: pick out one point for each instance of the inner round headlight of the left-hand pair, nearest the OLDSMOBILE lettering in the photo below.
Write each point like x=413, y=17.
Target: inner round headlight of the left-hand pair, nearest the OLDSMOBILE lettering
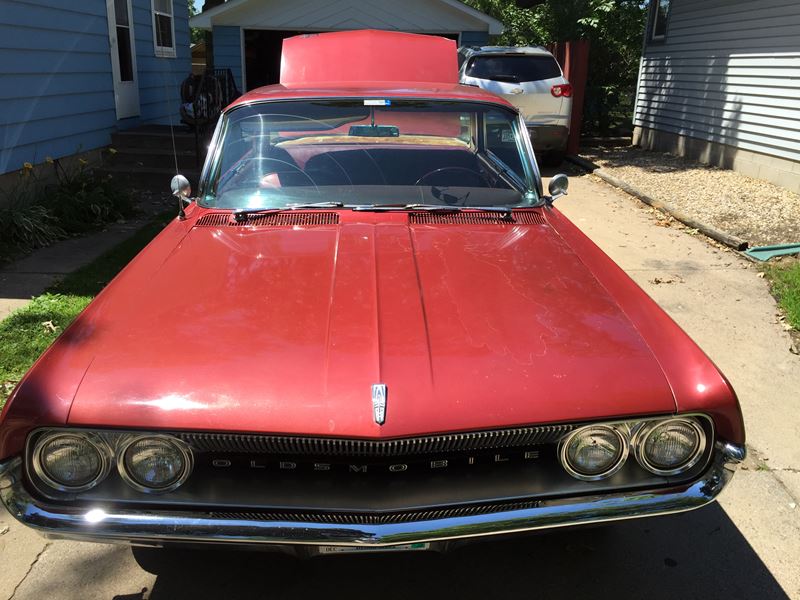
x=154, y=463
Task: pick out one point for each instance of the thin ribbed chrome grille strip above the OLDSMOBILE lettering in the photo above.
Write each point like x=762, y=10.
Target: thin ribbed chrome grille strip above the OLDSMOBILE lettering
x=436, y=444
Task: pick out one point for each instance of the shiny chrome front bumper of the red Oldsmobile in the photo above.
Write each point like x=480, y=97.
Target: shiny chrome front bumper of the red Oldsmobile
x=162, y=527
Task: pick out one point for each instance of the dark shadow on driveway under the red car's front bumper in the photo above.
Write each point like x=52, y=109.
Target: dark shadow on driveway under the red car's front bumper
x=694, y=555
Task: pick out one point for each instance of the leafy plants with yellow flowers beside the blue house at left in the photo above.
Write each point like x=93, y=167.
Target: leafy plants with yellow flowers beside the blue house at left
x=35, y=213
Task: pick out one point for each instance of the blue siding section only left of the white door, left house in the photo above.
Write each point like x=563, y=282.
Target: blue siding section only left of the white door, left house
x=56, y=91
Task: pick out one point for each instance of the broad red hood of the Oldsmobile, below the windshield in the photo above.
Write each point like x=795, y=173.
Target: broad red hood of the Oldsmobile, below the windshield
x=286, y=329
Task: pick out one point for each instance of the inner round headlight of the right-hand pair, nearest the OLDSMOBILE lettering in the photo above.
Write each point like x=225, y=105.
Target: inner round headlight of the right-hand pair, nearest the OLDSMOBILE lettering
x=594, y=452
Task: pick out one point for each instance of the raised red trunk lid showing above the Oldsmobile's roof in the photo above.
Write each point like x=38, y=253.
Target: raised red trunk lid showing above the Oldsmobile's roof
x=368, y=56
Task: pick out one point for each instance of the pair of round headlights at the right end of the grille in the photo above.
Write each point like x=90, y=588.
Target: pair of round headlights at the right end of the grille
x=665, y=447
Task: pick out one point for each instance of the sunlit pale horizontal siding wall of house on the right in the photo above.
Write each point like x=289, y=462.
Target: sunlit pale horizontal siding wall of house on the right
x=727, y=73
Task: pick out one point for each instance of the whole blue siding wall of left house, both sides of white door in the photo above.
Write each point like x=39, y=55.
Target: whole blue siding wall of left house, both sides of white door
x=56, y=86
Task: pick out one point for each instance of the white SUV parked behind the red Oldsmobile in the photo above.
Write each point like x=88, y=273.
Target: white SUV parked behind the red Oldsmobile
x=531, y=79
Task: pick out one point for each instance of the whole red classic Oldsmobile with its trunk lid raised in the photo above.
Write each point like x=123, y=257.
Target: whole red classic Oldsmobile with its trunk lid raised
x=370, y=329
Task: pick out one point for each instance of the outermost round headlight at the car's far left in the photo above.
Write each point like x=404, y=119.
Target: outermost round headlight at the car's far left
x=70, y=462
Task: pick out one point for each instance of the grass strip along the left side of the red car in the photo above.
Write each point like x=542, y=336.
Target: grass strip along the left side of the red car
x=27, y=332
